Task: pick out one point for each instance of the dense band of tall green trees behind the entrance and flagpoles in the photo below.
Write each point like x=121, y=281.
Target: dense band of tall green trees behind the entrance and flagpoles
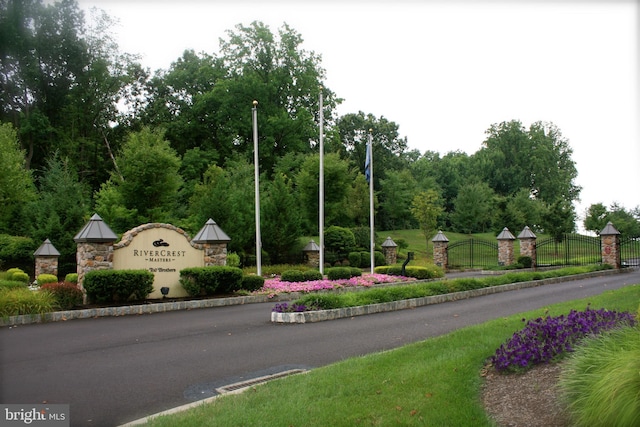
x=86, y=128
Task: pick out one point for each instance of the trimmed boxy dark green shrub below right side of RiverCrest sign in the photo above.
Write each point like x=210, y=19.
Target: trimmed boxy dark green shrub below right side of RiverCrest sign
x=198, y=281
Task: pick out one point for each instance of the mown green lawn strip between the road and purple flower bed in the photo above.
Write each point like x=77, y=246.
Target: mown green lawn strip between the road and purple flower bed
x=435, y=382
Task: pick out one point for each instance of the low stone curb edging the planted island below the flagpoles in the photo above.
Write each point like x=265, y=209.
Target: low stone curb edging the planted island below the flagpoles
x=337, y=313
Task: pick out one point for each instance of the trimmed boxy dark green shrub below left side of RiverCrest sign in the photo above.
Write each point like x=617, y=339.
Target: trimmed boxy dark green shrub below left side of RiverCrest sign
x=107, y=286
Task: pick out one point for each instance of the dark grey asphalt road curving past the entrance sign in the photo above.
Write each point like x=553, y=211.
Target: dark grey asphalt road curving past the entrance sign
x=118, y=369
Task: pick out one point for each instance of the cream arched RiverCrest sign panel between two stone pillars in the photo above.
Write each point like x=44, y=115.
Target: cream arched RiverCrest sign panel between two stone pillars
x=163, y=250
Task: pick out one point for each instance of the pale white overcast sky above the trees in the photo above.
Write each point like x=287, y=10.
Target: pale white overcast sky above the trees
x=444, y=71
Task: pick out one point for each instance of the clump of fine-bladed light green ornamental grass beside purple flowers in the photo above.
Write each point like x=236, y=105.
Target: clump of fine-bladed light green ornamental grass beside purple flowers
x=601, y=380
